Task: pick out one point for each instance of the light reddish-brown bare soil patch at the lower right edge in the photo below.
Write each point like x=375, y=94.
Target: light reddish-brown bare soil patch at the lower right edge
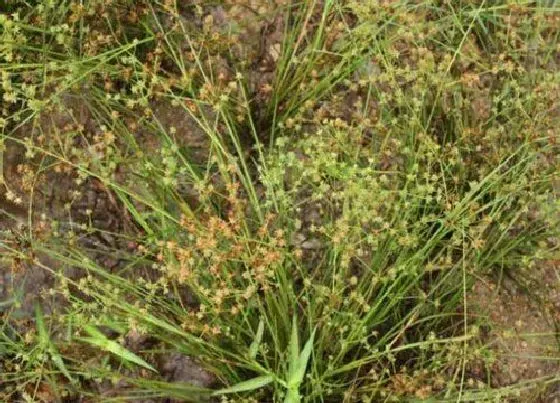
x=523, y=328
